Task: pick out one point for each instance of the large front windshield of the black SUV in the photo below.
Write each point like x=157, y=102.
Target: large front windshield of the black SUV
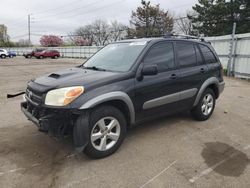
x=117, y=56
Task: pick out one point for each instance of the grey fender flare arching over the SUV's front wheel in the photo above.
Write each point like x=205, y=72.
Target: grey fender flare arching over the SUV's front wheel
x=116, y=95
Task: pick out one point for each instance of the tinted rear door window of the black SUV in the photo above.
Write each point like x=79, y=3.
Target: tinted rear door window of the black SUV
x=186, y=54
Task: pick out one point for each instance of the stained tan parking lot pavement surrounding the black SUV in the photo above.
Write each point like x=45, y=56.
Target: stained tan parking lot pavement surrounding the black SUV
x=175, y=151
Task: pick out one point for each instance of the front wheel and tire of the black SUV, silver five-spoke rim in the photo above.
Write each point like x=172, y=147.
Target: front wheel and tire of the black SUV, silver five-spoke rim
x=105, y=116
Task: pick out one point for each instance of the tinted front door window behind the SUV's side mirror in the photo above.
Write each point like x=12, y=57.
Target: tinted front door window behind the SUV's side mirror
x=162, y=55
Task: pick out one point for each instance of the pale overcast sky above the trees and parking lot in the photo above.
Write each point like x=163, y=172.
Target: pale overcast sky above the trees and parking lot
x=63, y=16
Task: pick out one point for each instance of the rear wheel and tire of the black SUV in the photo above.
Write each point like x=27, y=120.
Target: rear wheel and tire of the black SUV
x=205, y=107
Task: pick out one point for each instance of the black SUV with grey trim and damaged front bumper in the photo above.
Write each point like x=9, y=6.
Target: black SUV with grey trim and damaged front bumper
x=125, y=83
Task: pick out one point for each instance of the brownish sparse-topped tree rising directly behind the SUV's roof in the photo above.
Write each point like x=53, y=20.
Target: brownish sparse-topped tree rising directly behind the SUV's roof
x=149, y=20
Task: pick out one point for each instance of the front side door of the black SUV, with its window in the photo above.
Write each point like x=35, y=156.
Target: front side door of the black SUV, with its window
x=158, y=94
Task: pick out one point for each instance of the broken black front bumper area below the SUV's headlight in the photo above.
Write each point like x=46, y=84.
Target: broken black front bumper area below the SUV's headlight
x=57, y=122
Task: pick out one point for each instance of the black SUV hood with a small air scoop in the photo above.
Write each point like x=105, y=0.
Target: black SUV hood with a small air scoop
x=71, y=77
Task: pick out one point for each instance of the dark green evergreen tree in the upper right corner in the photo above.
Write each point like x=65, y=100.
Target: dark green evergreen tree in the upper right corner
x=216, y=17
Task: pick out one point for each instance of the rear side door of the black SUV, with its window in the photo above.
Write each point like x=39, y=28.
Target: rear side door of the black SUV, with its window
x=193, y=70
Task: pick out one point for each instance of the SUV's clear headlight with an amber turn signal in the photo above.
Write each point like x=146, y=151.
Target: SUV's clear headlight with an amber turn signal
x=63, y=96
